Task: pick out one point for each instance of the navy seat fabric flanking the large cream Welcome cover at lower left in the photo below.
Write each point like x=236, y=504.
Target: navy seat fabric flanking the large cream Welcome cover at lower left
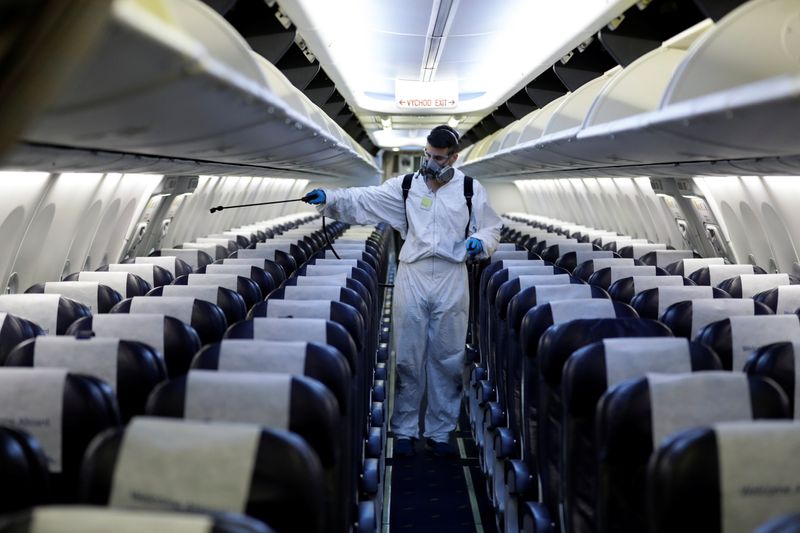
x=286, y=487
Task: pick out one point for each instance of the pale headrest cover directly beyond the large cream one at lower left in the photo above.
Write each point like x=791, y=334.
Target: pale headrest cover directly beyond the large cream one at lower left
x=256, y=398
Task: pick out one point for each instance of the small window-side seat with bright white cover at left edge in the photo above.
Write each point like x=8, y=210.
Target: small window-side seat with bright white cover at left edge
x=51, y=312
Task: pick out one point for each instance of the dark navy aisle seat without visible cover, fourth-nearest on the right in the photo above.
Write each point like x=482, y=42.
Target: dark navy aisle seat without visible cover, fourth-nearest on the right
x=555, y=347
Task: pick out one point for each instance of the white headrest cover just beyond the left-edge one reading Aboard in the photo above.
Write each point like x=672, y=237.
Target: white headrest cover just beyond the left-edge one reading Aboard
x=96, y=356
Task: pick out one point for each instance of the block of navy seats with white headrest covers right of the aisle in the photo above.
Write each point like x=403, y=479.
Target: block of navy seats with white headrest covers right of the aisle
x=559, y=334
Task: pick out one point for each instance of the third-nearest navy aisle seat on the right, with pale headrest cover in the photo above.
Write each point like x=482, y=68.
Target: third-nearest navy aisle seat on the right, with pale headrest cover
x=588, y=373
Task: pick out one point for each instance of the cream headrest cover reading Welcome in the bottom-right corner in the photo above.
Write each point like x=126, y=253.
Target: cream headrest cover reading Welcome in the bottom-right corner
x=758, y=465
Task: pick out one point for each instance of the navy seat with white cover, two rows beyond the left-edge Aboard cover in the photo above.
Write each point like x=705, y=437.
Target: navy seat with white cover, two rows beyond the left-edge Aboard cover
x=176, y=341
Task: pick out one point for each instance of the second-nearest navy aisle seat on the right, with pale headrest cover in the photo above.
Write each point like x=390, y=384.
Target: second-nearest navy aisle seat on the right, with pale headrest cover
x=668, y=404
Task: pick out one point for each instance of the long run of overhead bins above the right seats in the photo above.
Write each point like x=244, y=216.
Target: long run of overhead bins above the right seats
x=726, y=104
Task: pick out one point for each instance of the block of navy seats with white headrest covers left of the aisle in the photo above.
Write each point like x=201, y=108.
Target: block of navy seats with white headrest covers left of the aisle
x=264, y=373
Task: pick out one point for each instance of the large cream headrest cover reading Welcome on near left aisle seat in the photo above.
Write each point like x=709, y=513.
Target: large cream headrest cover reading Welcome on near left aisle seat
x=181, y=464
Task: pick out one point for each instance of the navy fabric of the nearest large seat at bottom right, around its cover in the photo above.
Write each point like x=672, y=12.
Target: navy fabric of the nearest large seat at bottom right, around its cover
x=685, y=477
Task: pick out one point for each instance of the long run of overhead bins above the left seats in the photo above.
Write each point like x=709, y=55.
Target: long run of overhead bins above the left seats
x=174, y=82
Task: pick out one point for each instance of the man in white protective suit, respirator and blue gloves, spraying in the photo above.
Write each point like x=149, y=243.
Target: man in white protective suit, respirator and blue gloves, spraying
x=431, y=297
